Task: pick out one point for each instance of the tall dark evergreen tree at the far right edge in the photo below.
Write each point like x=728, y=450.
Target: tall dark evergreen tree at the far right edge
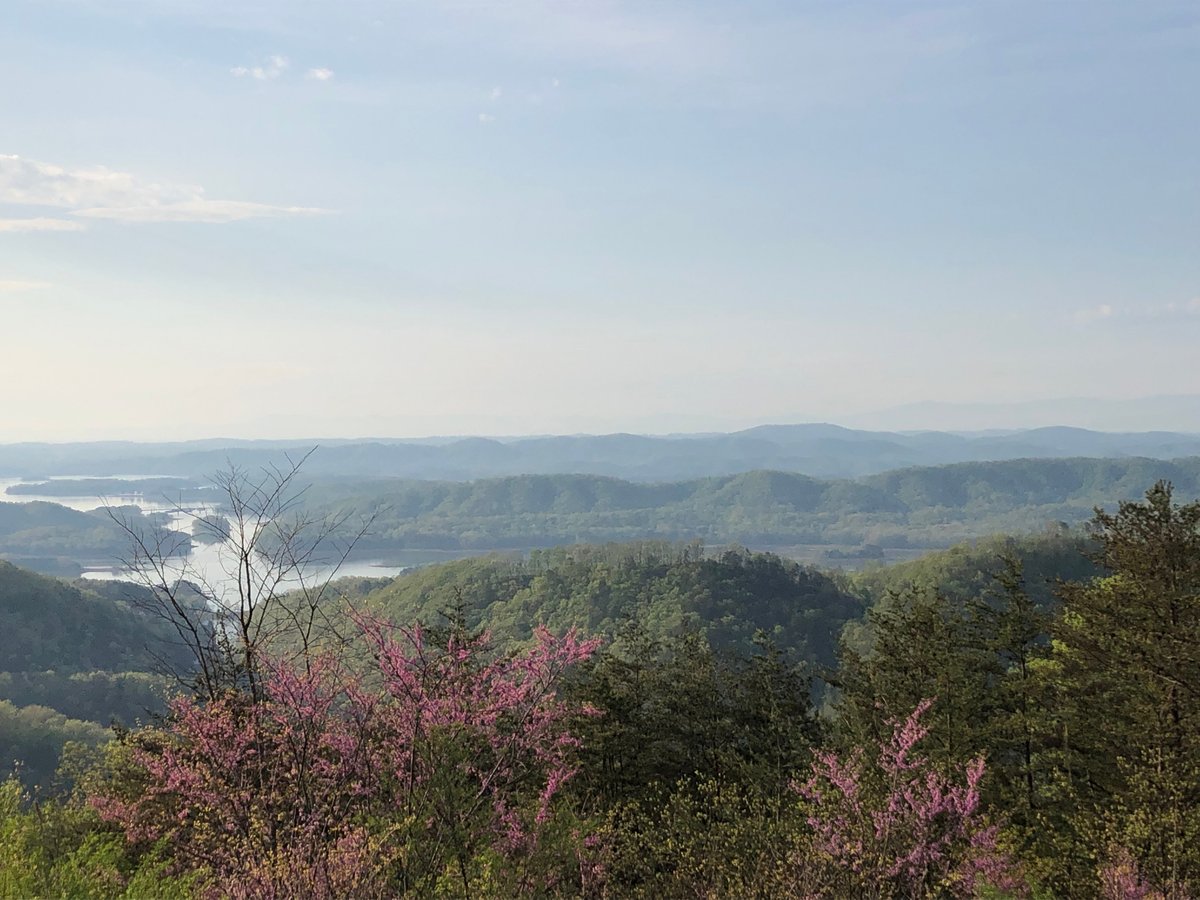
x=1129, y=644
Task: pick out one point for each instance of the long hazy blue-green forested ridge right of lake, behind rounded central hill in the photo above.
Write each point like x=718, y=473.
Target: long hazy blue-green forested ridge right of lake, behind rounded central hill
x=911, y=508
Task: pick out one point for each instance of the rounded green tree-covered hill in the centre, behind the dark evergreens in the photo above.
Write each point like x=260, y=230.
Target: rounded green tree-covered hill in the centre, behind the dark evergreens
x=729, y=599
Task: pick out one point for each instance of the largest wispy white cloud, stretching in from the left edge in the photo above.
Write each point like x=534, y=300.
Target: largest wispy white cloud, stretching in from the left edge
x=100, y=193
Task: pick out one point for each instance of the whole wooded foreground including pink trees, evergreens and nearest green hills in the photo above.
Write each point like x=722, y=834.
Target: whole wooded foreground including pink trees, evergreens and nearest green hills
x=1010, y=718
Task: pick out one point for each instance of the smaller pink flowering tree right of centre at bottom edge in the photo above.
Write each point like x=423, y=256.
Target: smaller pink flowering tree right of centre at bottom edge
x=896, y=826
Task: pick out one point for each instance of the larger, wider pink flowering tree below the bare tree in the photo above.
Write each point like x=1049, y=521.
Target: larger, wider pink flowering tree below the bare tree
x=437, y=773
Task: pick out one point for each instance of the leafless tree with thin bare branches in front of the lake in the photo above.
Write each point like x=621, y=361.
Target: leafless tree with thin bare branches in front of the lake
x=278, y=560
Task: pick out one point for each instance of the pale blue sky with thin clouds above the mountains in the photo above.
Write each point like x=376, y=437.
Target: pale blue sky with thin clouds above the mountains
x=406, y=218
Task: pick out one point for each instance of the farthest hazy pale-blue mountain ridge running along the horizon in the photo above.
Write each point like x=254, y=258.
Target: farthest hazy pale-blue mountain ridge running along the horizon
x=820, y=451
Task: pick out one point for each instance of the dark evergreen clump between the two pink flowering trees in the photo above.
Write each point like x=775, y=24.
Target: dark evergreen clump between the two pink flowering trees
x=675, y=711
